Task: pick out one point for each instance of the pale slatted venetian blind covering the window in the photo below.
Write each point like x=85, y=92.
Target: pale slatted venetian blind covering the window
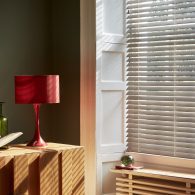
x=161, y=77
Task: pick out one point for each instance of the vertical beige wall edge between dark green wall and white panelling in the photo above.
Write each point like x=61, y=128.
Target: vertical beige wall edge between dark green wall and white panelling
x=88, y=91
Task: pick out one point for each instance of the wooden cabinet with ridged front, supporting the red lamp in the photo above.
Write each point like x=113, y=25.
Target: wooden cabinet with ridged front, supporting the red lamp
x=57, y=169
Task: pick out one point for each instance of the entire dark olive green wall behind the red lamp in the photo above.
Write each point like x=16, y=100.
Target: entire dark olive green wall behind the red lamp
x=41, y=37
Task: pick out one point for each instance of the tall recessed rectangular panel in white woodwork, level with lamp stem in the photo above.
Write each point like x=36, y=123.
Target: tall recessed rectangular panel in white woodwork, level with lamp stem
x=112, y=117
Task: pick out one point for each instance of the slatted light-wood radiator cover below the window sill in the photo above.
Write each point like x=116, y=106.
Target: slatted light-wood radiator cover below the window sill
x=154, y=182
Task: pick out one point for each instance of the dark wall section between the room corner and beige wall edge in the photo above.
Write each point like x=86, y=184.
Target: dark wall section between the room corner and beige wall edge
x=66, y=62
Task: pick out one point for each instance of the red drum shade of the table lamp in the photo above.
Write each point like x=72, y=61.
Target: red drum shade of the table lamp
x=37, y=89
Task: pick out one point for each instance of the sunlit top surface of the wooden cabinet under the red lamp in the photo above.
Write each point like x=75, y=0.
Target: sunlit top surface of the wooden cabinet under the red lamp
x=21, y=149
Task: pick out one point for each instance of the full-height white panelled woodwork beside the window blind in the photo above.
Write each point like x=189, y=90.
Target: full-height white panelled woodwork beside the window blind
x=110, y=90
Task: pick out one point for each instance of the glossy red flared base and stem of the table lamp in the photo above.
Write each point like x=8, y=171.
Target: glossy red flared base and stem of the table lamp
x=37, y=140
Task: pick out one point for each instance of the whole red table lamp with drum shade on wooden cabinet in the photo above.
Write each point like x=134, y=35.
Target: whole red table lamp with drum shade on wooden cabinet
x=37, y=90
